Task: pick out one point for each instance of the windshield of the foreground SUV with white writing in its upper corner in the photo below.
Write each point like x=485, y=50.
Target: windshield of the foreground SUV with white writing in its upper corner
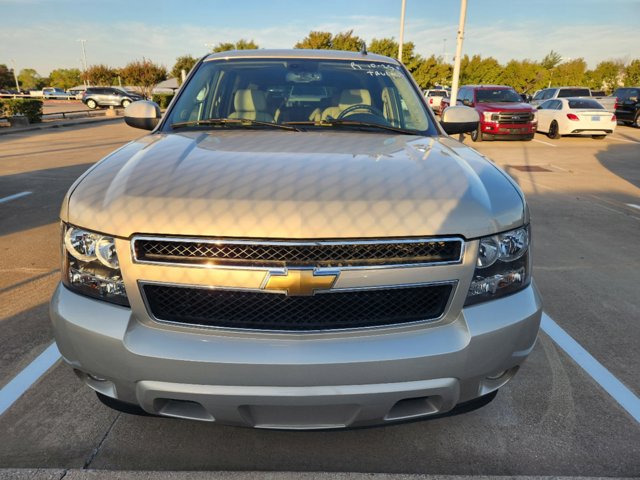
x=303, y=92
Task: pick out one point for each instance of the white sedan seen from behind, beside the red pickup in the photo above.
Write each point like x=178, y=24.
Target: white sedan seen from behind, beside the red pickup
x=575, y=116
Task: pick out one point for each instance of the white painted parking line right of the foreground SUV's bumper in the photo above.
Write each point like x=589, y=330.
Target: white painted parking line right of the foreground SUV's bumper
x=614, y=387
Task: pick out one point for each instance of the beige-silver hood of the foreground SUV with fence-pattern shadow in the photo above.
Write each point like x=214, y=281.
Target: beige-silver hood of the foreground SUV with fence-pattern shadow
x=277, y=184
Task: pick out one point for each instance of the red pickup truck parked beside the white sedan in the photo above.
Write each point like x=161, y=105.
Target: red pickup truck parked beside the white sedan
x=502, y=113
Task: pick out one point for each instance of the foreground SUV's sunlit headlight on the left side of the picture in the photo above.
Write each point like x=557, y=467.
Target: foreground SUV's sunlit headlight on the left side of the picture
x=91, y=267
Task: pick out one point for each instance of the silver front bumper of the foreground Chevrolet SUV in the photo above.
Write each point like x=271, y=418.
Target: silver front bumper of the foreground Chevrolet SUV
x=296, y=380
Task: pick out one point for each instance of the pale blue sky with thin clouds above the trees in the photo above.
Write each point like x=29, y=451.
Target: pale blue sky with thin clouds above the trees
x=45, y=34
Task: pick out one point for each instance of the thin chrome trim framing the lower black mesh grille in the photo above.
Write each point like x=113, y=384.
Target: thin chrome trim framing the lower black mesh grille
x=453, y=283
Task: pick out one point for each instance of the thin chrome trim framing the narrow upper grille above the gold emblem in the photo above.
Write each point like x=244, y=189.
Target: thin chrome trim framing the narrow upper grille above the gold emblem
x=287, y=243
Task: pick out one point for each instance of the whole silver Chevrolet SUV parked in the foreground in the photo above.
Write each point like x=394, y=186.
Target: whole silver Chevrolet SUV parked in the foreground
x=297, y=244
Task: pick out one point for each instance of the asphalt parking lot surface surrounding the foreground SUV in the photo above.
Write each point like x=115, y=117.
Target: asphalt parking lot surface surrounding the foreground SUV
x=553, y=419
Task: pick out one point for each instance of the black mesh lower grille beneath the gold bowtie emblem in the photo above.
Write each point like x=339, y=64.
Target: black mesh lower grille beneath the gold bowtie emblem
x=269, y=311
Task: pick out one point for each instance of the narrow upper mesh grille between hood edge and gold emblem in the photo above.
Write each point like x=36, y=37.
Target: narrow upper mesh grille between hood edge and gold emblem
x=281, y=254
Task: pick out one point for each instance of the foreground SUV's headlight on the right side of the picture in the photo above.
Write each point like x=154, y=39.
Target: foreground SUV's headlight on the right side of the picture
x=502, y=267
